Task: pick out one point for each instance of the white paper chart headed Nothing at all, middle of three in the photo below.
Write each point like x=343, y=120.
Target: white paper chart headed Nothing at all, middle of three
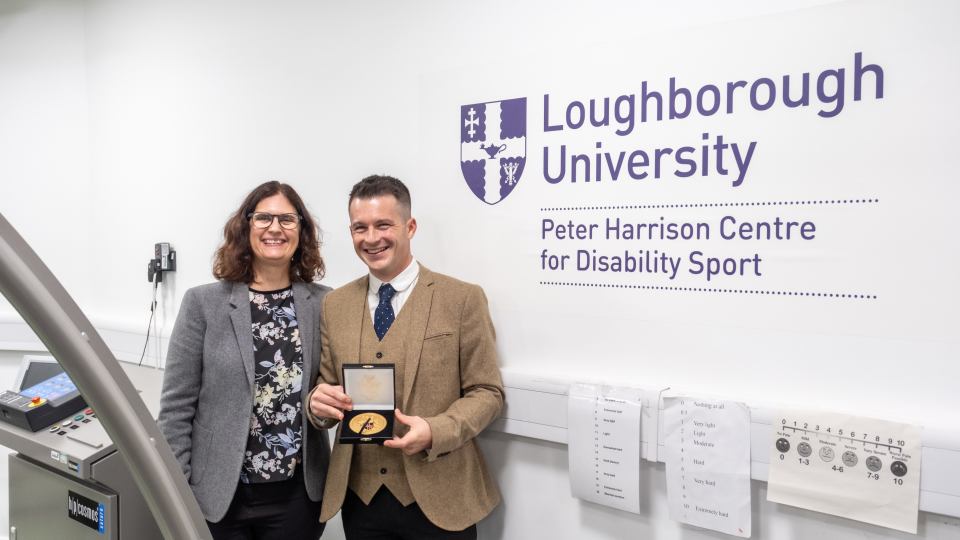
x=707, y=446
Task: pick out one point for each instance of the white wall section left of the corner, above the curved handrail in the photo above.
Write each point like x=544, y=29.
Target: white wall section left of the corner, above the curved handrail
x=44, y=136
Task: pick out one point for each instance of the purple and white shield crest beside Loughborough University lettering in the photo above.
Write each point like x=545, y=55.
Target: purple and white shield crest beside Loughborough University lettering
x=493, y=147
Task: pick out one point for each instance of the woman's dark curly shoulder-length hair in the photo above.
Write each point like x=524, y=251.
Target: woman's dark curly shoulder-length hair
x=234, y=258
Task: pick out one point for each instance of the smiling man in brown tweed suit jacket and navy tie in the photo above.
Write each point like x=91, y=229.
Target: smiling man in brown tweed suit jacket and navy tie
x=430, y=480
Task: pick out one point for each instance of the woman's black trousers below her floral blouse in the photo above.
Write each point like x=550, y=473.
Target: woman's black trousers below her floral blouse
x=273, y=511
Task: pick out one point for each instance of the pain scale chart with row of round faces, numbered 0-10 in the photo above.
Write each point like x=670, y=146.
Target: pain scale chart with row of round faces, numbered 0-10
x=860, y=468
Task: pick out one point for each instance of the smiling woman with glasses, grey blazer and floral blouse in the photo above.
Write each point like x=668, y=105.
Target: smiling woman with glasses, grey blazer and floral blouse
x=242, y=350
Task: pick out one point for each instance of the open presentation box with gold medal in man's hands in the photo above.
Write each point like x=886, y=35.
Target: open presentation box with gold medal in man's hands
x=370, y=386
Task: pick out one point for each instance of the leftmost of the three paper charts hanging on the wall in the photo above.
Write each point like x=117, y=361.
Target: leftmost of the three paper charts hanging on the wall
x=603, y=437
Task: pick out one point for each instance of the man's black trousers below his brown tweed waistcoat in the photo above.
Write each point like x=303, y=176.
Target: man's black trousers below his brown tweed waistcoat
x=386, y=519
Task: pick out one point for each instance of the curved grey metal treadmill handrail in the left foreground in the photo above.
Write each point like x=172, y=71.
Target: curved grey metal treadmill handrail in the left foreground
x=46, y=306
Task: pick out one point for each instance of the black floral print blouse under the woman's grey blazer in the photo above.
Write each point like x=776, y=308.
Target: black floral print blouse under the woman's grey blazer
x=275, y=438
